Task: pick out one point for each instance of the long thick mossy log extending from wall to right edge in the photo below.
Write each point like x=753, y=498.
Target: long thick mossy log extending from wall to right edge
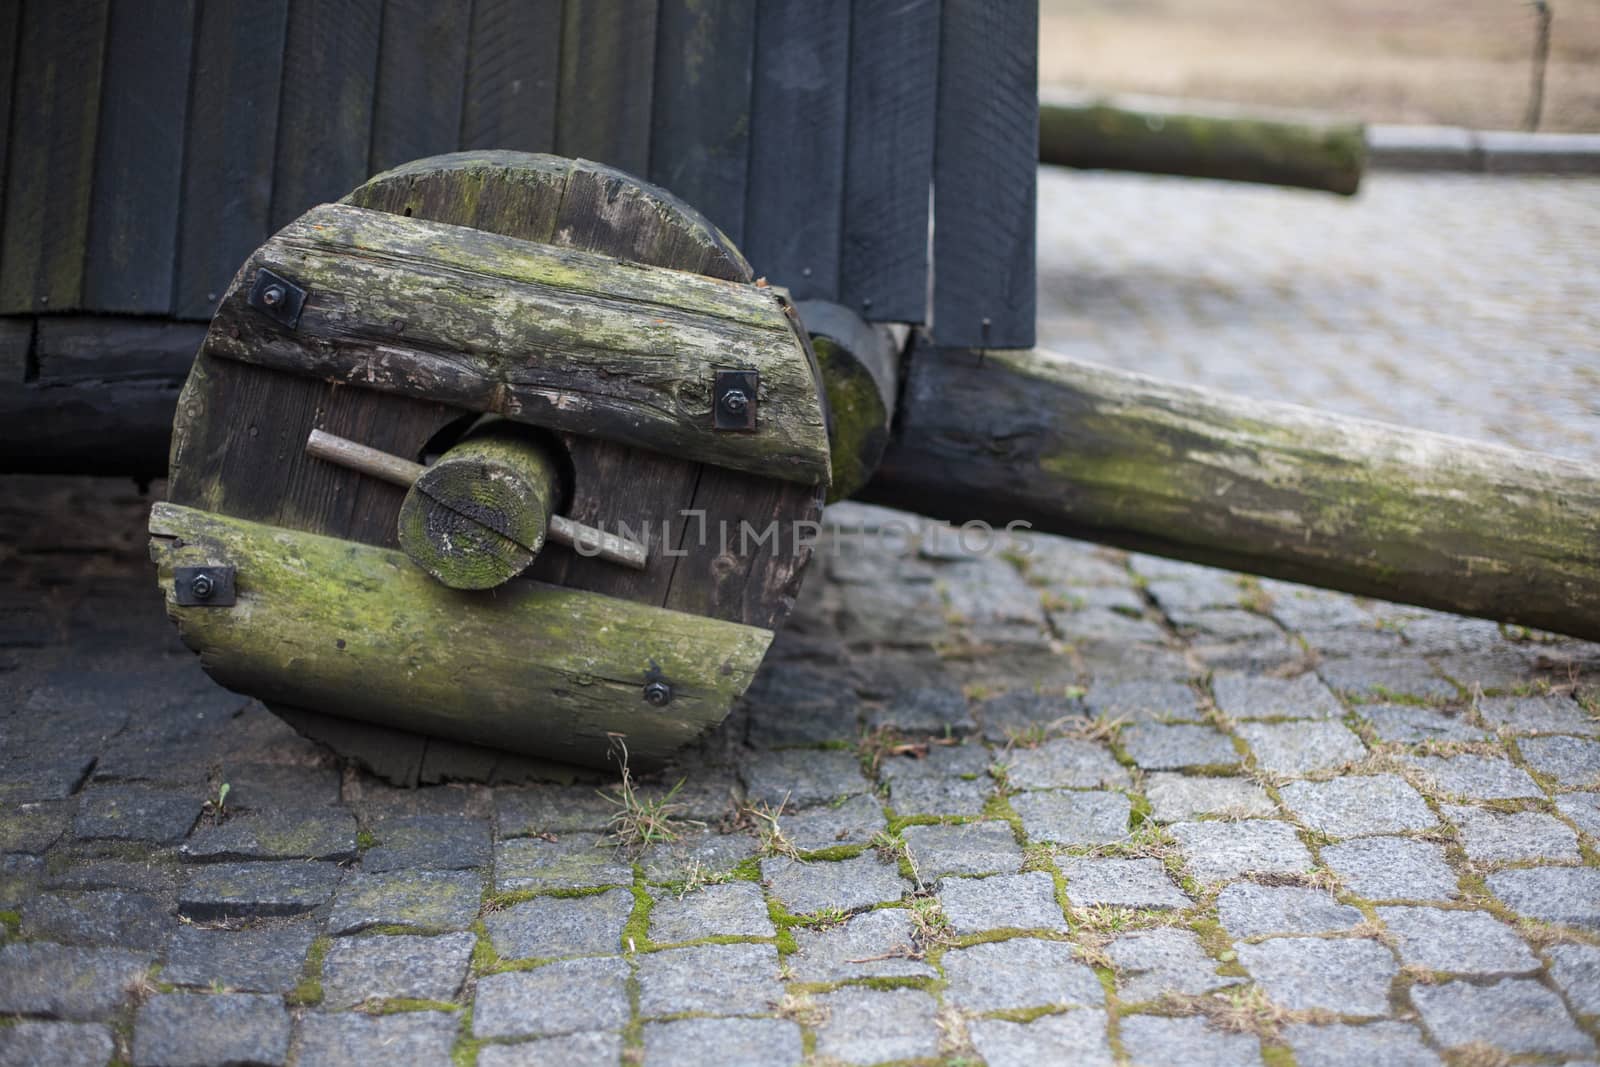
x=1250, y=486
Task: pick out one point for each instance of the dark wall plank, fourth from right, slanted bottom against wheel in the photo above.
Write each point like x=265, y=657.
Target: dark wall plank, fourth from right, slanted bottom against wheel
x=700, y=143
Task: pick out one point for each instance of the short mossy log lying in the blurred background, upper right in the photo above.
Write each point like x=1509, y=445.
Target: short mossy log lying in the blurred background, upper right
x=1132, y=134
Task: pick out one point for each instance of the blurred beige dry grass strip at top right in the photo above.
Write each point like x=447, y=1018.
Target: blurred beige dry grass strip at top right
x=1433, y=62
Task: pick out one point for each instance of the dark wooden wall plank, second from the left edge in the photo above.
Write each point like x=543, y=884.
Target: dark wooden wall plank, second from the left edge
x=140, y=158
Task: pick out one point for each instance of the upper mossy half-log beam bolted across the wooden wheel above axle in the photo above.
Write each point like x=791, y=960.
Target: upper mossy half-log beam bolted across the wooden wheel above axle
x=561, y=338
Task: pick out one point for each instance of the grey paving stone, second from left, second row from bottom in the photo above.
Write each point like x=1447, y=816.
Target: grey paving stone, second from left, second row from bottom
x=265, y=961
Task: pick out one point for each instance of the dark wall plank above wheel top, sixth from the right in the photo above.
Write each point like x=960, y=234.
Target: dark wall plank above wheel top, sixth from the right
x=513, y=71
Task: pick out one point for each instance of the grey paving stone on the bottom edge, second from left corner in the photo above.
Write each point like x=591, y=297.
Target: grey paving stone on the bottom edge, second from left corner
x=207, y=1029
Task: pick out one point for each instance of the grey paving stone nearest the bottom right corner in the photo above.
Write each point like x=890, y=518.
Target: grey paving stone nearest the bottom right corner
x=1513, y=1015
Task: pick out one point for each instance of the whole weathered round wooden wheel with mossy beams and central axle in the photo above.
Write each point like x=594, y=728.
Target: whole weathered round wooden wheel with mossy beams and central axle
x=527, y=322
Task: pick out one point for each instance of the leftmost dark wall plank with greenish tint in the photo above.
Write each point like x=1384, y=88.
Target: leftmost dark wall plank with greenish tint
x=52, y=154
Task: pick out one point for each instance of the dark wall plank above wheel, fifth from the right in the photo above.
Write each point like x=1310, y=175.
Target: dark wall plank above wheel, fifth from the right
x=609, y=55
